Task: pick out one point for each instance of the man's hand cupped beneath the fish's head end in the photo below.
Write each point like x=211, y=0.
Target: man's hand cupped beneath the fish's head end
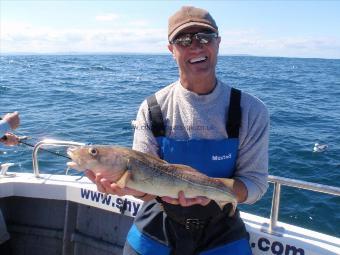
x=105, y=186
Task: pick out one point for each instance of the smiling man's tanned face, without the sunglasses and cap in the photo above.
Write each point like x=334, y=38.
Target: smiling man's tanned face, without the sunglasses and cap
x=196, y=61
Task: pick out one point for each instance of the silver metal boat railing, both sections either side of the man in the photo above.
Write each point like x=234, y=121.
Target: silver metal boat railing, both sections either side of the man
x=271, y=228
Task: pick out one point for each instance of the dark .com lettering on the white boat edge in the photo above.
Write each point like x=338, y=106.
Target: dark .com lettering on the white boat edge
x=276, y=248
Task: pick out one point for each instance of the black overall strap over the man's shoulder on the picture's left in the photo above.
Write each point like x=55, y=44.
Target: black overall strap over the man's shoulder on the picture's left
x=156, y=117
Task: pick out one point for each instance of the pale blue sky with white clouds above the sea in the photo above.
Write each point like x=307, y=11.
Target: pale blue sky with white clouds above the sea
x=262, y=28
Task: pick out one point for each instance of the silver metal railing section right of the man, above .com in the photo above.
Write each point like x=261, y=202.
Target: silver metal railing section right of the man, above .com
x=272, y=228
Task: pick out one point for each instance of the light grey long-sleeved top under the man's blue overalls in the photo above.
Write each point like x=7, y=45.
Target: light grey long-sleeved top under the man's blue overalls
x=188, y=115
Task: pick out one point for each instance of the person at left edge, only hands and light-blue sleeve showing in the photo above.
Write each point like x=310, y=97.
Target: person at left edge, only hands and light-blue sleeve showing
x=10, y=121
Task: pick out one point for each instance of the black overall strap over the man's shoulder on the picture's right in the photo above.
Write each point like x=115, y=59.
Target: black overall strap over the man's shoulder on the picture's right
x=234, y=114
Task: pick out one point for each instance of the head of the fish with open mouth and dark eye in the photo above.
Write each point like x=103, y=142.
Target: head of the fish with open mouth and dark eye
x=108, y=160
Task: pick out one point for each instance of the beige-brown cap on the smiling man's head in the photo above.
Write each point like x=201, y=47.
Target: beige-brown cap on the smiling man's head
x=189, y=16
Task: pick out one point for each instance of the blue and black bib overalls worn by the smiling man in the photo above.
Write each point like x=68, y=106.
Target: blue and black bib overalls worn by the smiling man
x=161, y=228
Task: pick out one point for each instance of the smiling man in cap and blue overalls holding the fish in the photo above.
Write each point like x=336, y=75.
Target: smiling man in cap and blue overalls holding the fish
x=201, y=122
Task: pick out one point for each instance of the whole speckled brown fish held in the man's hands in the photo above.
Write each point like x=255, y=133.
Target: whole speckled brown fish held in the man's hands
x=150, y=174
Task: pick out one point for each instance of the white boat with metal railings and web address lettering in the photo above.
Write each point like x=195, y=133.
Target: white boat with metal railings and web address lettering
x=48, y=214
